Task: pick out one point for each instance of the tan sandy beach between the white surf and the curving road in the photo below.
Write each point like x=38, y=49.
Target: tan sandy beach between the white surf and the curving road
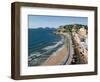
x=57, y=58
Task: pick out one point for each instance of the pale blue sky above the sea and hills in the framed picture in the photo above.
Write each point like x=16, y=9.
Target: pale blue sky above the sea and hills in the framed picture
x=35, y=21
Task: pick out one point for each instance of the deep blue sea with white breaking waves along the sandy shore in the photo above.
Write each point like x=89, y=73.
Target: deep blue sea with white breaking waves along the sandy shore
x=42, y=42
